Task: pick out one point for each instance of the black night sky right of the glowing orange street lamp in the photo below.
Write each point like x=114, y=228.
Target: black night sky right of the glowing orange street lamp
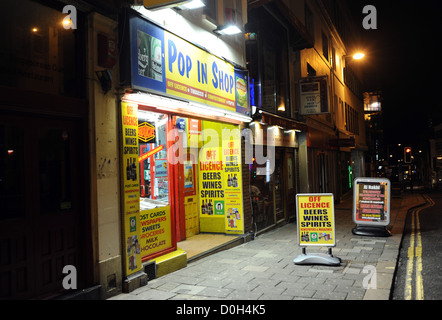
x=404, y=62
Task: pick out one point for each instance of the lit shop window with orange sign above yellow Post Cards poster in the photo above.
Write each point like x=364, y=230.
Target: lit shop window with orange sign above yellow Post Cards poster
x=153, y=176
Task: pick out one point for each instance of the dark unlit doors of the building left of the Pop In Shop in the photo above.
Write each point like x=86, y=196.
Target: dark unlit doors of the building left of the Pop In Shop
x=42, y=205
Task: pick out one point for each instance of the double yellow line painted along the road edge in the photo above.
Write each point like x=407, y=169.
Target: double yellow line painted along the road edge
x=415, y=254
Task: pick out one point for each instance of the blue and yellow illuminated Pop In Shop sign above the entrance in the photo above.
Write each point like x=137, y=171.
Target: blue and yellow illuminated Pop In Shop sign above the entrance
x=165, y=63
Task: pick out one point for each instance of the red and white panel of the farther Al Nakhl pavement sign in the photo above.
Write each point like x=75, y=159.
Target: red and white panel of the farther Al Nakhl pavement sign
x=371, y=201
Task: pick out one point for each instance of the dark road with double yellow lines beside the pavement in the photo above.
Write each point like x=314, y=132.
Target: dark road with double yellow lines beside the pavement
x=419, y=274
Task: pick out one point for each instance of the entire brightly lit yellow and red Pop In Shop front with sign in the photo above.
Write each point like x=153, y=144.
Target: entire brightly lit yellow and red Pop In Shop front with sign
x=181, y=143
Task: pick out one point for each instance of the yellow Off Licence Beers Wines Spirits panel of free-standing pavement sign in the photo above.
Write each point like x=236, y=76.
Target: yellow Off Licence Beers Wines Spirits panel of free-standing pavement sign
x=316, y=220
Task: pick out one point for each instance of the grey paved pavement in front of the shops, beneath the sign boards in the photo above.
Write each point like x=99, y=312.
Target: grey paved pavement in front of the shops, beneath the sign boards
x=263, y=269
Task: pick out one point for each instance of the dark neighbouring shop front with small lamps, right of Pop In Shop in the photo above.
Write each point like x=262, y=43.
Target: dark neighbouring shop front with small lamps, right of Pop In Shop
x=274, y=173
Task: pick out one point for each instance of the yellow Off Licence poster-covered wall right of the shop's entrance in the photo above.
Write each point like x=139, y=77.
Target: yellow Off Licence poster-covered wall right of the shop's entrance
x=220, y=180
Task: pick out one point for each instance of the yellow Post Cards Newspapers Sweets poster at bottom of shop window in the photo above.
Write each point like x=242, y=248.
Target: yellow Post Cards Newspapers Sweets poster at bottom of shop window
x=156, y=230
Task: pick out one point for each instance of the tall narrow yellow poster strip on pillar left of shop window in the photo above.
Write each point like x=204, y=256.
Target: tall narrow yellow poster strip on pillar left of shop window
x=130, y=188
